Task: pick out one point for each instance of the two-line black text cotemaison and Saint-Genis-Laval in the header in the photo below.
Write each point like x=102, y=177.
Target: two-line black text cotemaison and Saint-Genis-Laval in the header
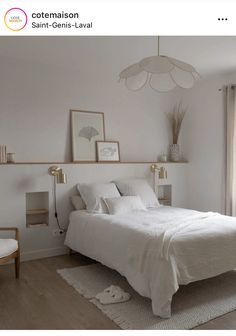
x=59, y=15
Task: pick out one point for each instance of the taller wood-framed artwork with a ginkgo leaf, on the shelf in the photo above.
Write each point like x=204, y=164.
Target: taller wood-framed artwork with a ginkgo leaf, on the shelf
x=86, y=128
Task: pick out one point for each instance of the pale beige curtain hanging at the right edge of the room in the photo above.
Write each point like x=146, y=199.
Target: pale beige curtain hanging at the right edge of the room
x=230, y=200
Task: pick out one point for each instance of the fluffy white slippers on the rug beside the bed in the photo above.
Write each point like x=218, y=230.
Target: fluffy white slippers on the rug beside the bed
x=112, y=294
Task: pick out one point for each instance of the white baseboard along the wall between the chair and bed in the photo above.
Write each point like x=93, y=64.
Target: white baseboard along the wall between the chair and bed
x=39, y=254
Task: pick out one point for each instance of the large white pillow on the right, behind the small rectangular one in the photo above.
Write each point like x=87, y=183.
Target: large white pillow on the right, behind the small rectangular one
x=138, y=187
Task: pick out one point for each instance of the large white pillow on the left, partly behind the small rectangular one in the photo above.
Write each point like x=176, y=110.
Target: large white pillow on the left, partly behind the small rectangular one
x=92, y=195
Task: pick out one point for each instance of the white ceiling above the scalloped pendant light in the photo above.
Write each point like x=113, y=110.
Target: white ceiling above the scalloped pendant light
x=209, y=55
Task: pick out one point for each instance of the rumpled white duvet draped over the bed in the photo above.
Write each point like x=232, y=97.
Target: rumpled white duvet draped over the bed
x=159, y=249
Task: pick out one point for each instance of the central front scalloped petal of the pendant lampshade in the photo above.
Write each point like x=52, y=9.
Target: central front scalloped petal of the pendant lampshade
x=162, y=82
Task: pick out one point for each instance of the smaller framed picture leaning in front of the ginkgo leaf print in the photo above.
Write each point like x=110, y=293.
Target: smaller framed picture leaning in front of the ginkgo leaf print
x=108, y=151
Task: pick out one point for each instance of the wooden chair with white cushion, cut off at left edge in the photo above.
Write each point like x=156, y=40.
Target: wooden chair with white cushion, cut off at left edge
x=10, y=252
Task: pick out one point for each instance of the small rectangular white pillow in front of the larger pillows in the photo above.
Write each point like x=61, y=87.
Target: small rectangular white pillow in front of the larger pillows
x=124, y=204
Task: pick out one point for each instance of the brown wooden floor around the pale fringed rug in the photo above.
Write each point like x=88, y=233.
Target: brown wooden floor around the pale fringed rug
x=41, y=299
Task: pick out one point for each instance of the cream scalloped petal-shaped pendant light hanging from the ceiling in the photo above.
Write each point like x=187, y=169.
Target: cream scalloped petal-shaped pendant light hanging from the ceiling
x=163, y=73
